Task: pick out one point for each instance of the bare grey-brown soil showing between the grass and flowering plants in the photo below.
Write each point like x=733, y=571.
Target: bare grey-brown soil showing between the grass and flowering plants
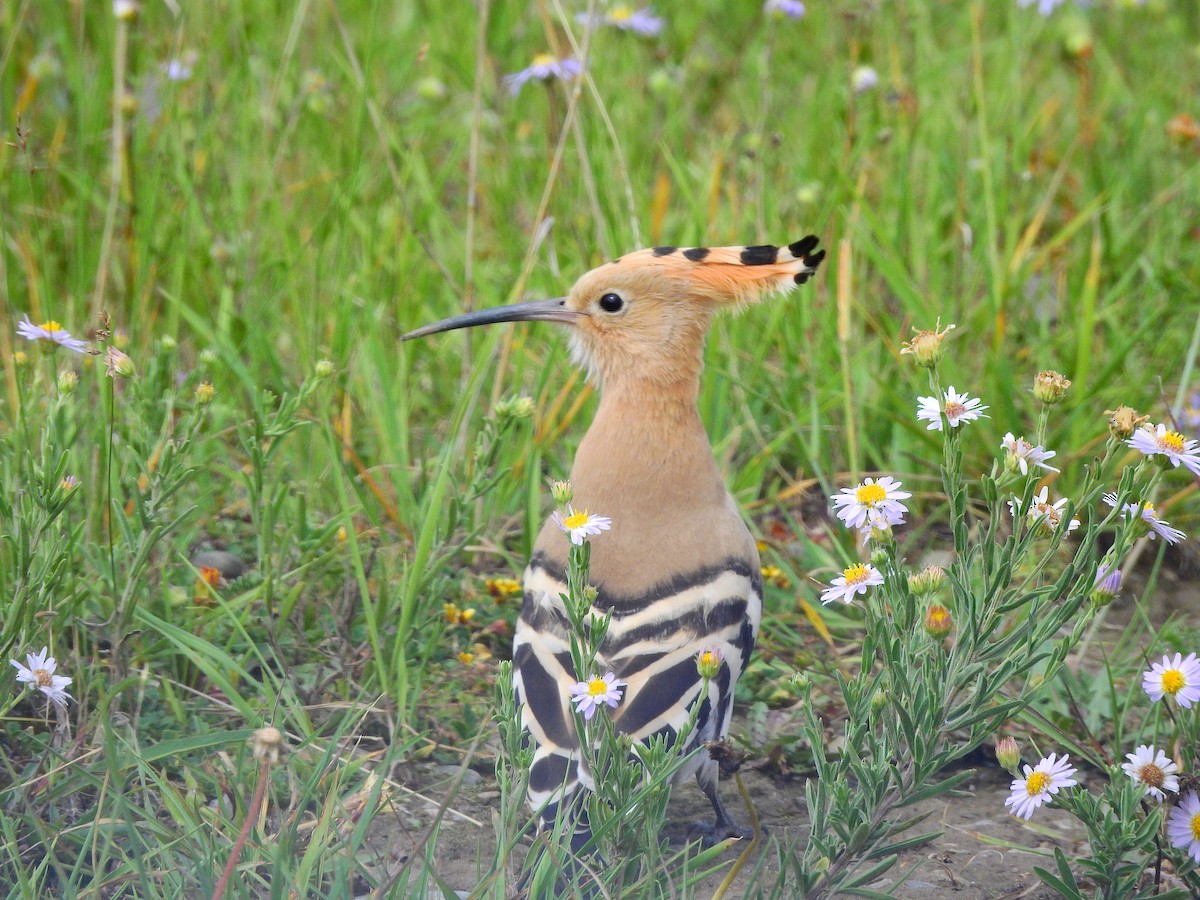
x=983, y=851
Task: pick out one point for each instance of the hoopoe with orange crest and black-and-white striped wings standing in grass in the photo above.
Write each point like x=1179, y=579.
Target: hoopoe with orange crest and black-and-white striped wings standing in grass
x=680, y=569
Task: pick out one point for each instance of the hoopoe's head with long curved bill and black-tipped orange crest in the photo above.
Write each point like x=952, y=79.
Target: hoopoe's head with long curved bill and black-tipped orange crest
x=644, y=317
